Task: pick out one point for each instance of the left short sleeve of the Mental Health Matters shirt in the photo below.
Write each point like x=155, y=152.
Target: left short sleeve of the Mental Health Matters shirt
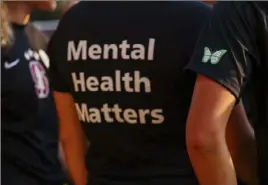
x=58, y=71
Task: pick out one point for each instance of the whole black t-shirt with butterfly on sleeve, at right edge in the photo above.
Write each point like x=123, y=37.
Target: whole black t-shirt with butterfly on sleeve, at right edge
x=233, y=51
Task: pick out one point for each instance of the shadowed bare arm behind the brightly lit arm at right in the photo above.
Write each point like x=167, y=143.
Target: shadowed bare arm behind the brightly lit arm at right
x=241, y=143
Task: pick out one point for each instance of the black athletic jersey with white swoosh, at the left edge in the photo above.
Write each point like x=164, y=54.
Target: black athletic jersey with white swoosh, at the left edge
x=29, y=120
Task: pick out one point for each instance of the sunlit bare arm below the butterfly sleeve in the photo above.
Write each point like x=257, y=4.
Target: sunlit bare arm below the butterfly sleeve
x=210, y=110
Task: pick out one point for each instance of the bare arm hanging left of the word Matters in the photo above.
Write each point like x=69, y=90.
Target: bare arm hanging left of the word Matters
x=71, y=137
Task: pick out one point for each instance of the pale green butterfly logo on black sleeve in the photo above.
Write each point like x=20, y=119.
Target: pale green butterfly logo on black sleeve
x=215, y=57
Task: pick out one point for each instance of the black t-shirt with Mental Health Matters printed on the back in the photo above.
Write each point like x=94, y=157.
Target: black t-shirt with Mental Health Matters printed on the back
x=123, y=63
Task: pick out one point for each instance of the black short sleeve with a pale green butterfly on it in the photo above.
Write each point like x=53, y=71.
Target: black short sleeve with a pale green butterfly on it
x=225, y=51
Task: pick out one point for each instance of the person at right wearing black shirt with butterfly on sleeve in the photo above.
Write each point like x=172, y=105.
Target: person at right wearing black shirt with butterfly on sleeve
x=230, y=59
